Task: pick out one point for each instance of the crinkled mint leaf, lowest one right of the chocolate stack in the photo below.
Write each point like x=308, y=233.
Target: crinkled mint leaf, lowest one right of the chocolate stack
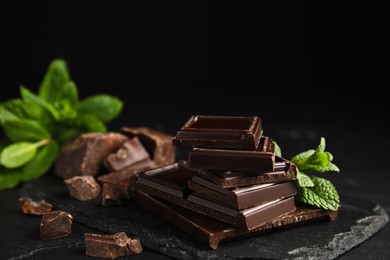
x=323, y=194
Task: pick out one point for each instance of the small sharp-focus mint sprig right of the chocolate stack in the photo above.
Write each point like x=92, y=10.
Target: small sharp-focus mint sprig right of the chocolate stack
x=312, y=189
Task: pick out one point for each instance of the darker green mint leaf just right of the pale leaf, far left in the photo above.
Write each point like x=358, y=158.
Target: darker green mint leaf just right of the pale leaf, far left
x=40, y=163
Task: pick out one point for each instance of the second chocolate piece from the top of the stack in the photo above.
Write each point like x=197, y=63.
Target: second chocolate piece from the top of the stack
x=232, y=160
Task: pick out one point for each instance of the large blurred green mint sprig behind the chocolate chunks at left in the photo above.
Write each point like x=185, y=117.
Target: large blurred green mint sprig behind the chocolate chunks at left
x=36, y=126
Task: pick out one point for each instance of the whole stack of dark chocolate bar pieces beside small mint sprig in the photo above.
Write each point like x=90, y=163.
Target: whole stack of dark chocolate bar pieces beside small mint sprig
x=232, y=185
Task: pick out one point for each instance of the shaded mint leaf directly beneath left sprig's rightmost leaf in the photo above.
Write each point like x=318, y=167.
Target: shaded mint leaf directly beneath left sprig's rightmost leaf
x=86, y=123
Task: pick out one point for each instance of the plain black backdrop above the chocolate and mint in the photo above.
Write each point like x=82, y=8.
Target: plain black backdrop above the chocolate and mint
x=291, y=63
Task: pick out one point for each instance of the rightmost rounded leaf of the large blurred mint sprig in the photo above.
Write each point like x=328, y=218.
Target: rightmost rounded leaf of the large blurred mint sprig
x=105, y=107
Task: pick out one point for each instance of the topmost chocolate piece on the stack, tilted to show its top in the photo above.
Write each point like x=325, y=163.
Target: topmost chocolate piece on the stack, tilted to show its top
x=220, y=132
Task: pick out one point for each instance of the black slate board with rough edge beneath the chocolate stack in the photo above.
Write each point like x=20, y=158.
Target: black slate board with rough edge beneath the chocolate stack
x=355, y=223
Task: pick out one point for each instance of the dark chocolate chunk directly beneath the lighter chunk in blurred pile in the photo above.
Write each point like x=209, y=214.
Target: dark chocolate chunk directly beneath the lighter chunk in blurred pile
x=123, y=181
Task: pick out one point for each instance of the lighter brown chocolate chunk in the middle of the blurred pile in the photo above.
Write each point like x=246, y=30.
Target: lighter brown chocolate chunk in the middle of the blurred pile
x=131, y=152
